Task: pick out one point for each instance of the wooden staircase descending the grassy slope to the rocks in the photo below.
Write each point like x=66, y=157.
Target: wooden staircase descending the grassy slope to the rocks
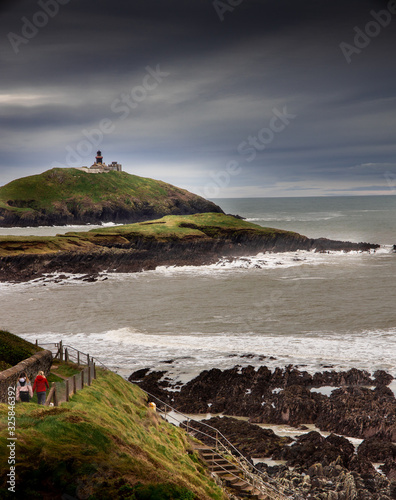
x=230, y=474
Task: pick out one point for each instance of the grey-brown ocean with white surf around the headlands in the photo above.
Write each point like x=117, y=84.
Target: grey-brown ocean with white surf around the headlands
x=317, y=311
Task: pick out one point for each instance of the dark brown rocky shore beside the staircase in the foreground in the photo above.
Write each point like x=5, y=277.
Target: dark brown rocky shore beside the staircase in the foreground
x=352, y=404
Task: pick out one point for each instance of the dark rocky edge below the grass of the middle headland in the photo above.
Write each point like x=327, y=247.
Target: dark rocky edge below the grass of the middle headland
x=142, y=254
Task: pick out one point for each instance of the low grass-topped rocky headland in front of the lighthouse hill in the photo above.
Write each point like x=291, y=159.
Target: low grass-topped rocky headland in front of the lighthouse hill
x=195, y=240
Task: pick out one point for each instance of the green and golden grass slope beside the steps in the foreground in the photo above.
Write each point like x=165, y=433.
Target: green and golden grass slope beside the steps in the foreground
x=102, y=445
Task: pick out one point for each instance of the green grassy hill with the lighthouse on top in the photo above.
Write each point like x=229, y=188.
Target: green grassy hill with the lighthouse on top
x=71, y=196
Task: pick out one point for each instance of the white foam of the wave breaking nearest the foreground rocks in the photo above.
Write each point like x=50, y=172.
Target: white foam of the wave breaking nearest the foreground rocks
x=127, y=349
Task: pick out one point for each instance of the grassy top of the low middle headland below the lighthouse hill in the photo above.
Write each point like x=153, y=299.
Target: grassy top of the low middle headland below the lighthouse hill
x=172, y=227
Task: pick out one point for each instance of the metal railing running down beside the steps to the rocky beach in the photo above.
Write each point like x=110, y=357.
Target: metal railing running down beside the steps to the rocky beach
x=258, y=479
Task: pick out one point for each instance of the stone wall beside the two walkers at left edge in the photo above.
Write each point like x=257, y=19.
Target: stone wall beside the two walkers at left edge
x=8, y=378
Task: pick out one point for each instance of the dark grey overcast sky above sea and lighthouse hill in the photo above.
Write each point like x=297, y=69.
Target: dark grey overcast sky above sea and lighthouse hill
x=228, y=98
